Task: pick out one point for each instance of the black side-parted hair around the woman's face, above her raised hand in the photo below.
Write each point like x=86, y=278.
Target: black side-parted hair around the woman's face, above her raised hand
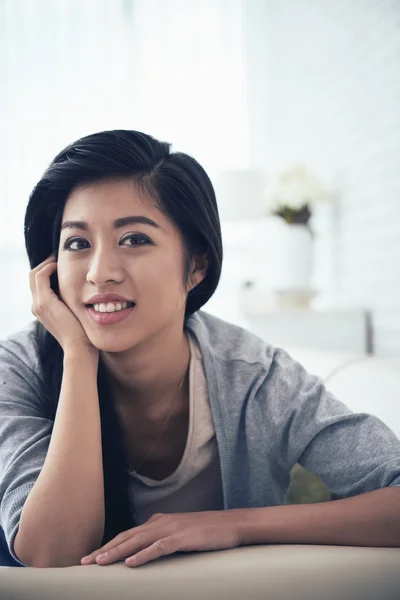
x=176, y=181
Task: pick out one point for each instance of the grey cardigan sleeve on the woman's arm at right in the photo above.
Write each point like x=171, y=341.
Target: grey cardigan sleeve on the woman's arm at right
x=352, y=453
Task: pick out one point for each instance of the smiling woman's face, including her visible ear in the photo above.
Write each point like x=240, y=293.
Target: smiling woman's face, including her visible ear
x=117, y=245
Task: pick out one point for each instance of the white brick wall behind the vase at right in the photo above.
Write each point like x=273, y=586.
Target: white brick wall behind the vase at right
x=324, y=87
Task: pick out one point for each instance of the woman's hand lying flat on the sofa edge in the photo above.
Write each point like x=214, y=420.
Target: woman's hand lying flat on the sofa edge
x=165, y=534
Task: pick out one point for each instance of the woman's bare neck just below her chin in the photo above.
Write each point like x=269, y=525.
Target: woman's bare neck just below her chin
x=142, y=377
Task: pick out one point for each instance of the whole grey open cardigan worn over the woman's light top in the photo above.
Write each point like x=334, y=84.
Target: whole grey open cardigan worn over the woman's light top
x=268, y=414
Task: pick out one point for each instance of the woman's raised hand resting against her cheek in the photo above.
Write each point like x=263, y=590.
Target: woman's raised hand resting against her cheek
x=52, y=312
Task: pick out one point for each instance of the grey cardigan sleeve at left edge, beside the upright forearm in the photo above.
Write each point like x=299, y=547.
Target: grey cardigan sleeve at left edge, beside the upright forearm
x=25, y=430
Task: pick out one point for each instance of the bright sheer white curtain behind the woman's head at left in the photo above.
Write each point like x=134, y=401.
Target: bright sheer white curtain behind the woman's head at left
x=71, y=67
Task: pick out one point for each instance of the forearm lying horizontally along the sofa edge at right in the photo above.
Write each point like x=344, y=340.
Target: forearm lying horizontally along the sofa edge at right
x=371, y=519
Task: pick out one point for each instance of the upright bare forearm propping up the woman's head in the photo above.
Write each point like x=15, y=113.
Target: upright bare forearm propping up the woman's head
x=63, y=516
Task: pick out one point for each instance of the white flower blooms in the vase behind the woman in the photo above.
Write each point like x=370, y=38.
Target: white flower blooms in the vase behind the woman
x=294, y=188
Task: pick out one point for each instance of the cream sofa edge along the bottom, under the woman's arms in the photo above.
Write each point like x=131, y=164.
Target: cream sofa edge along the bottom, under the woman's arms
x=275, y=572
